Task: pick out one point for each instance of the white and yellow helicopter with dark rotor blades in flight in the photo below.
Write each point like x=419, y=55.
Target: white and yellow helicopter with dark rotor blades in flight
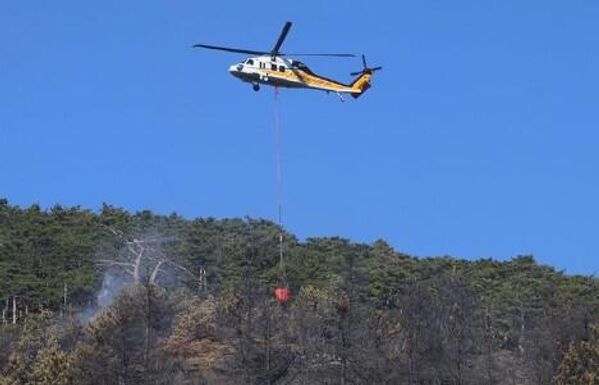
x=276, y=69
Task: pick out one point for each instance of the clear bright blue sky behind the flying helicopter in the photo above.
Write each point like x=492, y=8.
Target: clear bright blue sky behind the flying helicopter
x=479, y=137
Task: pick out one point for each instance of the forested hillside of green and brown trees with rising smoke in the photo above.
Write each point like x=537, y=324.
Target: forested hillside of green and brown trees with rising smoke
x=112, y=297
